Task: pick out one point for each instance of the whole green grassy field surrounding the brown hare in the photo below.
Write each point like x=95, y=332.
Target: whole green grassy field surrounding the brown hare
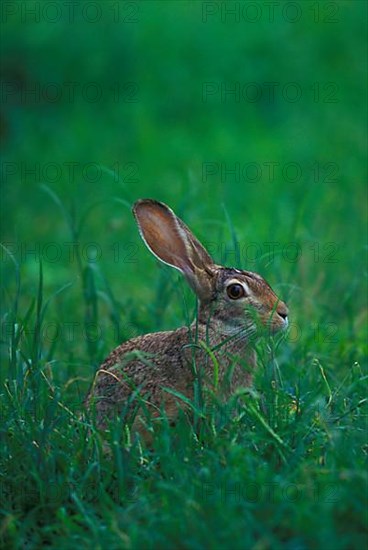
x=251, y=124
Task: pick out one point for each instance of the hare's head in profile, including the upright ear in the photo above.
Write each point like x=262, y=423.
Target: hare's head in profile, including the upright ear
x=233, y=300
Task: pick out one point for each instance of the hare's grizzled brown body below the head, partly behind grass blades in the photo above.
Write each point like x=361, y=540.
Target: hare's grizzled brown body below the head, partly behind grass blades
x=174, y=365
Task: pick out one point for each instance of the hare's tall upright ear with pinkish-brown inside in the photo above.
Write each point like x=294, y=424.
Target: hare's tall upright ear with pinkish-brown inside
x=170, y=240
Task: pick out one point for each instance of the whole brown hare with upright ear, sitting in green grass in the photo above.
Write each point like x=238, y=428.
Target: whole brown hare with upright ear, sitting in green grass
x=150, y=373
